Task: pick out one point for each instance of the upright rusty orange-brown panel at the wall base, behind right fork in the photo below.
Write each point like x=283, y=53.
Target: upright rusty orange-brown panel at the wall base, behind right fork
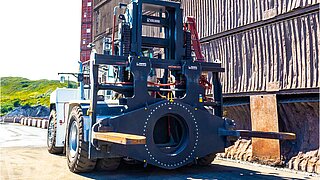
x=264, y=117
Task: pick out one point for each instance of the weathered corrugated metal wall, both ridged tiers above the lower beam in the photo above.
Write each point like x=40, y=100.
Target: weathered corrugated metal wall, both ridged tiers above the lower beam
x=278, y=56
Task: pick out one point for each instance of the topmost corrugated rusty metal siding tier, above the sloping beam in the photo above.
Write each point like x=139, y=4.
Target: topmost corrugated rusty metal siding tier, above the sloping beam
x=221, y=15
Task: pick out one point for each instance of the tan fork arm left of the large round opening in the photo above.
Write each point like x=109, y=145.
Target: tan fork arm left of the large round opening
x=119, y=138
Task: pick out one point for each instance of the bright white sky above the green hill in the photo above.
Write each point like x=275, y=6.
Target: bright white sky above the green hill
x=39, y=38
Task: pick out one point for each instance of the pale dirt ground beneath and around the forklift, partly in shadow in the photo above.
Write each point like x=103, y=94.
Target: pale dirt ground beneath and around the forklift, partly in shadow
x=34, y=162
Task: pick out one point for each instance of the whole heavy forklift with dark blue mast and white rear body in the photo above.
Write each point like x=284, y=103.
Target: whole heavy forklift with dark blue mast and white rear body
x=168, y=112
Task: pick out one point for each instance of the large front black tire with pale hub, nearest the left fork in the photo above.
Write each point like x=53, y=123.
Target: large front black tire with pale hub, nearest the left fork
x=78, y=160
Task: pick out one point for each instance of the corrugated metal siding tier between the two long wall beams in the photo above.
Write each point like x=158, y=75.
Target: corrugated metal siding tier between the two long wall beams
x=279, y=56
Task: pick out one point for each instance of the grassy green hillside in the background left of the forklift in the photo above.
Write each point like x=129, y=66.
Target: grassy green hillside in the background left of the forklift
x=18, y=91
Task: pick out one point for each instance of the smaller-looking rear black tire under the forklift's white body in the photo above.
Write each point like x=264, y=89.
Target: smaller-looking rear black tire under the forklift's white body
x=51, y=132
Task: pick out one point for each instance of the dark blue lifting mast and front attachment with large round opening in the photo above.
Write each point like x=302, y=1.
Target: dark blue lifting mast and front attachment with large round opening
x=179, y=130
